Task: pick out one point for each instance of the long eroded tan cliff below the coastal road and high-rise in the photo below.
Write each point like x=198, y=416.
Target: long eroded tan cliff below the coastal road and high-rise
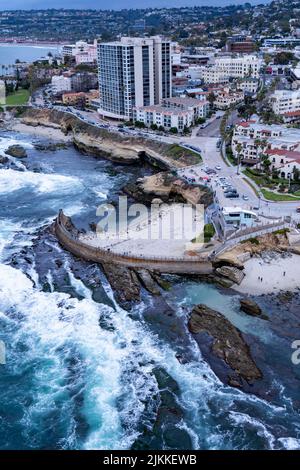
x=111, y=145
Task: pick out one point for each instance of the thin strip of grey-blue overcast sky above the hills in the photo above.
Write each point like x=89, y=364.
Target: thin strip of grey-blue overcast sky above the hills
x=112, y=4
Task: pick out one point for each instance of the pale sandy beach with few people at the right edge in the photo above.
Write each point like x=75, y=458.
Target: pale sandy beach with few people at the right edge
x=271, y=271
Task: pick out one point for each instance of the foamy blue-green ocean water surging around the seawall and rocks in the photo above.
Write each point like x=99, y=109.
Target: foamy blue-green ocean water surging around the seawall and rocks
x=81, y=372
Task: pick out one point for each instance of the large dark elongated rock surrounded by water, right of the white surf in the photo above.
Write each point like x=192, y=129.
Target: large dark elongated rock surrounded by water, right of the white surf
x=228, y=343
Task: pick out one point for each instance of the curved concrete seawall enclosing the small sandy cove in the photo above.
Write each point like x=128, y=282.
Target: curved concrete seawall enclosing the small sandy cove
x=67, y=235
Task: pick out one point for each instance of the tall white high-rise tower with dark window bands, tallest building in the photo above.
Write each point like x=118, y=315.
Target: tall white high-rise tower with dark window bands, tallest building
x=133, y=72
